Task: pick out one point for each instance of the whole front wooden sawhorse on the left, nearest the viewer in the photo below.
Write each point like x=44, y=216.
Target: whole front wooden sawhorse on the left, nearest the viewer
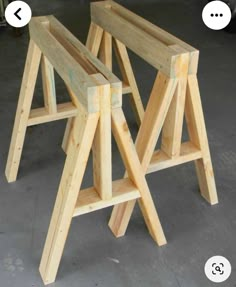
x=96, y=106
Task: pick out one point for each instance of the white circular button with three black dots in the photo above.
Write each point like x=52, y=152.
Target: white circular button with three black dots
x=216, y=15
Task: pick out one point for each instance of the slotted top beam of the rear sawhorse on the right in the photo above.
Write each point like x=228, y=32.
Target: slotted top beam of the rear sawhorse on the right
x=148, y=41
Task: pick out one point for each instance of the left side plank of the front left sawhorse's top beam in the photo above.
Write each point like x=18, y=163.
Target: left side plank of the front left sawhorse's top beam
x=65, y=65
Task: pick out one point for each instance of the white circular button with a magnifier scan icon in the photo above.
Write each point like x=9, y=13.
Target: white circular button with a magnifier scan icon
x=217, y=269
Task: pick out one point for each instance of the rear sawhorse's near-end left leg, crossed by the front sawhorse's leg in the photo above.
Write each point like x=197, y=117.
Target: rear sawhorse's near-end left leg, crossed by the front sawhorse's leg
x=158, y=105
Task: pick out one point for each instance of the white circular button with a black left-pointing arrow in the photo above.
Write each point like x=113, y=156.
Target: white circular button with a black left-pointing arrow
x=18, y=14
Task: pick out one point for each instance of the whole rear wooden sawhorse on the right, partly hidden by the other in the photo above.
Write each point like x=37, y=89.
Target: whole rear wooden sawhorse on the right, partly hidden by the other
x=174, y=93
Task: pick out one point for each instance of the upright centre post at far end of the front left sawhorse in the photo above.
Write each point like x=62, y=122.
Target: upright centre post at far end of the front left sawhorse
x=49, y=89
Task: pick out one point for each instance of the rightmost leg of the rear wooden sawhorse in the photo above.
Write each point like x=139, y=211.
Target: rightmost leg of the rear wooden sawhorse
x=198, y=135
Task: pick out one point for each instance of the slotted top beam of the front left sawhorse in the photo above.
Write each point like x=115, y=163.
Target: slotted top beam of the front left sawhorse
x=64, y=52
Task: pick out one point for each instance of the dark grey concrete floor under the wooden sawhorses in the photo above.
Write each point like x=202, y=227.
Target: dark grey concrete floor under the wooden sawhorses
x=93, y=257
